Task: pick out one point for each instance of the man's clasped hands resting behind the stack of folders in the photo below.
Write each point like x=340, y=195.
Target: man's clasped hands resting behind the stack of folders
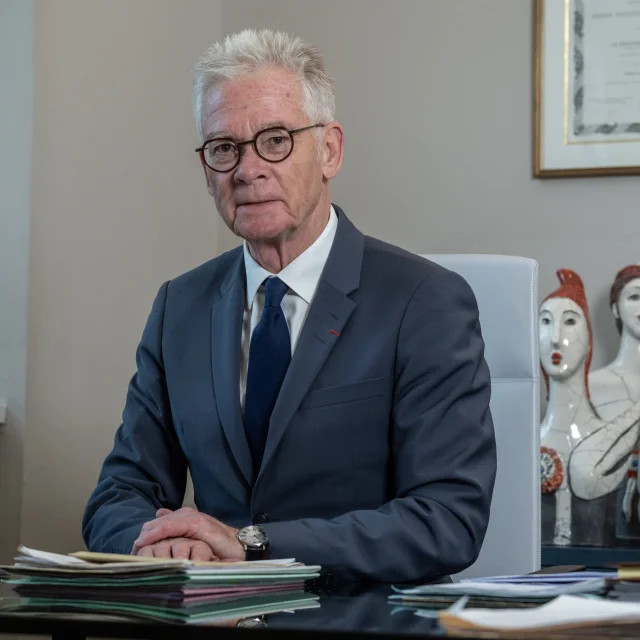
x=189, y=535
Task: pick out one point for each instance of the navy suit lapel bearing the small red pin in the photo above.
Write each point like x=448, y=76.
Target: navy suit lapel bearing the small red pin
x=328, y=314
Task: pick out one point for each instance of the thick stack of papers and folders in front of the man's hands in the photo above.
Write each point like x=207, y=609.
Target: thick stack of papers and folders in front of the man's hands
x=172, y=590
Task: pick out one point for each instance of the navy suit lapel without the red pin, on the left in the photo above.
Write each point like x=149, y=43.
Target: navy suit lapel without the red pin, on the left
x=226, y=333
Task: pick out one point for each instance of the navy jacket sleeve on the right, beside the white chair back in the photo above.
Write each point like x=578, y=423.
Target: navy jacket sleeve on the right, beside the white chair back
x=444, y=455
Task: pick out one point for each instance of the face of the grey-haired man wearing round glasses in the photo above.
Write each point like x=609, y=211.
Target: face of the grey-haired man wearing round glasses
x=261, y=200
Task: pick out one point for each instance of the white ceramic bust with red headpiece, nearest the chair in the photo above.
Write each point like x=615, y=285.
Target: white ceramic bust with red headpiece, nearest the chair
x=583, y=458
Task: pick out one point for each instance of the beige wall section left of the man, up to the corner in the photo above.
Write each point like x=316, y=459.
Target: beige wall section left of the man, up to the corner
x=119, y=206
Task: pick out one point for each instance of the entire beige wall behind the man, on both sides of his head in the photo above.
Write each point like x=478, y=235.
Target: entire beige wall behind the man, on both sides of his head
x=435, y=97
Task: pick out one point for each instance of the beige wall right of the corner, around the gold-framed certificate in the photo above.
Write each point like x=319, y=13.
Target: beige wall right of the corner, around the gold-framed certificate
x=436, y=100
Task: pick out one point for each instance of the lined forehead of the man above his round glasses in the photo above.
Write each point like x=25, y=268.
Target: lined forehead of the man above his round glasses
x=252, y=101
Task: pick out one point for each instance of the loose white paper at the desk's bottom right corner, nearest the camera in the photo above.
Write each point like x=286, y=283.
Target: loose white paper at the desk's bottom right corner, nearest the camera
x=563, y=612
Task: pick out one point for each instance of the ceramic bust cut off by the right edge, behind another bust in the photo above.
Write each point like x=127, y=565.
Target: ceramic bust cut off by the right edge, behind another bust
x=616, y=387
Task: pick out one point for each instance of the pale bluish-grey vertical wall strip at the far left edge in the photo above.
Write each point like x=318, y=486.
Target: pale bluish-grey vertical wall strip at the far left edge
x=16, y=124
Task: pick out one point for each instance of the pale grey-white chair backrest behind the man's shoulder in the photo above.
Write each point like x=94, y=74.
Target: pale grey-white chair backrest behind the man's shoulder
x=506, y=289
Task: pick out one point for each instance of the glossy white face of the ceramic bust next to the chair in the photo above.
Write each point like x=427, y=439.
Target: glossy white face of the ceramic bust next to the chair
x=564, y=338
